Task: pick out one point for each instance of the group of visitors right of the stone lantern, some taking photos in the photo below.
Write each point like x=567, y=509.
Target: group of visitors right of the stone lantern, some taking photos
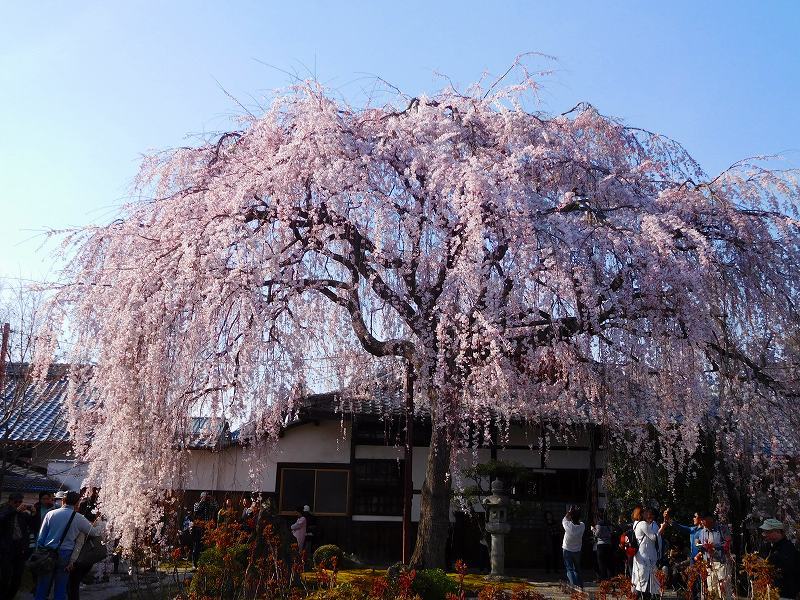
x=640, y=549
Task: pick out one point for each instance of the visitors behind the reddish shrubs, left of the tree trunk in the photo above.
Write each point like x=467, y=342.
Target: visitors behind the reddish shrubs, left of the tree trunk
x=207, y=511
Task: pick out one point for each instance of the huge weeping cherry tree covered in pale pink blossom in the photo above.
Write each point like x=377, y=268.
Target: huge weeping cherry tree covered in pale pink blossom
x=531, y=268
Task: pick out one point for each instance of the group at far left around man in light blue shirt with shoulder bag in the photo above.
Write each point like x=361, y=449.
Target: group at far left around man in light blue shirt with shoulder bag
x=60, y=524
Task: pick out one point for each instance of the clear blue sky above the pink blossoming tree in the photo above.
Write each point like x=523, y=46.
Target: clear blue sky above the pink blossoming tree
x=86, y=87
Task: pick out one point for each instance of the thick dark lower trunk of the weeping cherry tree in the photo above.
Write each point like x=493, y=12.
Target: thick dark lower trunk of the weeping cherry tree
x=434, y=520
